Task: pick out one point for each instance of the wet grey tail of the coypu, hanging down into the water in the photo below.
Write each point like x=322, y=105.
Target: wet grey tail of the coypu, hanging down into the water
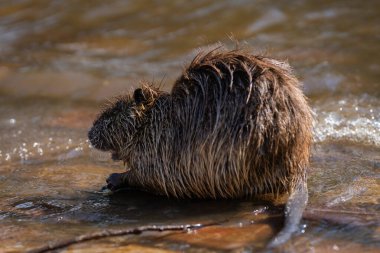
x=293, y=213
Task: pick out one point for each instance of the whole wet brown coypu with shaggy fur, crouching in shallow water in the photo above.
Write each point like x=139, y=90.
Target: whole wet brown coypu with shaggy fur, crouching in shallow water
x=234, y=125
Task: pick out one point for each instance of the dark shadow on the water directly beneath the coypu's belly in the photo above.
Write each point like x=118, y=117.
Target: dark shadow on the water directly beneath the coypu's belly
x=142, y=207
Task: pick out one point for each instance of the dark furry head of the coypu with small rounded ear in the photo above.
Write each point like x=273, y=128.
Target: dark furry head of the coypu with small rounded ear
x=115, y=126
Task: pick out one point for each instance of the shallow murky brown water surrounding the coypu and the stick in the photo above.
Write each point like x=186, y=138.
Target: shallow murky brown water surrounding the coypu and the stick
x=59, y=60
